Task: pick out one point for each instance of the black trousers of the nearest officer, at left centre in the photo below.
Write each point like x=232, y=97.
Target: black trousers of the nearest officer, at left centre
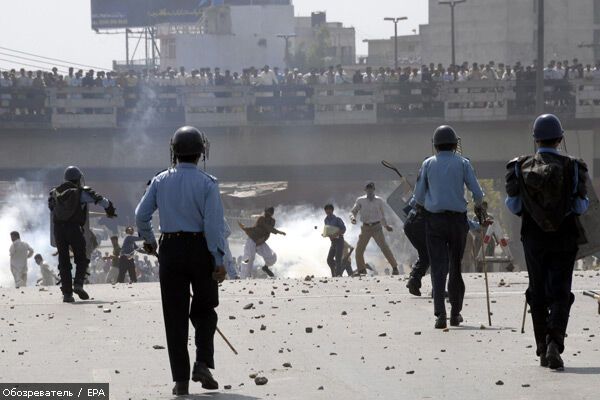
x=184, y=261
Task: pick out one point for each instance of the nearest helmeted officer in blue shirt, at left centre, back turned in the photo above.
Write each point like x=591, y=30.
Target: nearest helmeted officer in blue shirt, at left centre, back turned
x=191, y=253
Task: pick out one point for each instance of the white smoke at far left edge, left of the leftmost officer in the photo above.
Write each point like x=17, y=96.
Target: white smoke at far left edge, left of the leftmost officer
x=25, y=210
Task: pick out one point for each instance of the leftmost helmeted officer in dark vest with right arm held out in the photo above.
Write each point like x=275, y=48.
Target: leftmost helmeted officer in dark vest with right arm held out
x=68, y=205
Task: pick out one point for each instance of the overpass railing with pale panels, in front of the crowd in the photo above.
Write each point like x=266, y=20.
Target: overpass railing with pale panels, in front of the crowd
x=234, y=106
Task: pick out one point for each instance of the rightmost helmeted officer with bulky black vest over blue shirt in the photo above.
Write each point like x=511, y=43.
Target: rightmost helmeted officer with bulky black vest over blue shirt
x=548, y=191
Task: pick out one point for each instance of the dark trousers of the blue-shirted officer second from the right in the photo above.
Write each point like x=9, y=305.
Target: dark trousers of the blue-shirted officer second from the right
x=446, y=240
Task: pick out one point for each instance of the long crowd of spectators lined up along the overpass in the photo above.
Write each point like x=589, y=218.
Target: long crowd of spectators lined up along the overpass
x=24, y=92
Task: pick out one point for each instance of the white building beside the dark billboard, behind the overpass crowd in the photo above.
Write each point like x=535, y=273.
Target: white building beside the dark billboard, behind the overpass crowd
x=230, y=37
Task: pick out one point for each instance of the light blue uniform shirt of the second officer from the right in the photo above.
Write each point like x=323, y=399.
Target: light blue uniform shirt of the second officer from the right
x=441, y=183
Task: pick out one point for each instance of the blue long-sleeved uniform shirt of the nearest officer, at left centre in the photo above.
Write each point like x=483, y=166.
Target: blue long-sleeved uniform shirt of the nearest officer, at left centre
x=188, y=200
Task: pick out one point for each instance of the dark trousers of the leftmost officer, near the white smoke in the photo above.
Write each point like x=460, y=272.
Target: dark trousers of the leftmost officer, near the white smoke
x=69, y=236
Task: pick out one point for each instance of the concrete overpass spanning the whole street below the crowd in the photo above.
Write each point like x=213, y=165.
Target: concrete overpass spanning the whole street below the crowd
x=318, y=133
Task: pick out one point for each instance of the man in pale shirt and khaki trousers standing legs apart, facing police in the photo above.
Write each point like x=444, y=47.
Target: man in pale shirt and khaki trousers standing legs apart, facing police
x=373, y=218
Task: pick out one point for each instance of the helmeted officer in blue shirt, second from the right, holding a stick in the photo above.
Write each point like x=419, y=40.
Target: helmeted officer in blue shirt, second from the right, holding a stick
x=440, y=193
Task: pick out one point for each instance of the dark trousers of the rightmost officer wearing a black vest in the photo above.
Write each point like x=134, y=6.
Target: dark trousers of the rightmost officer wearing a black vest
x=550, y=261
